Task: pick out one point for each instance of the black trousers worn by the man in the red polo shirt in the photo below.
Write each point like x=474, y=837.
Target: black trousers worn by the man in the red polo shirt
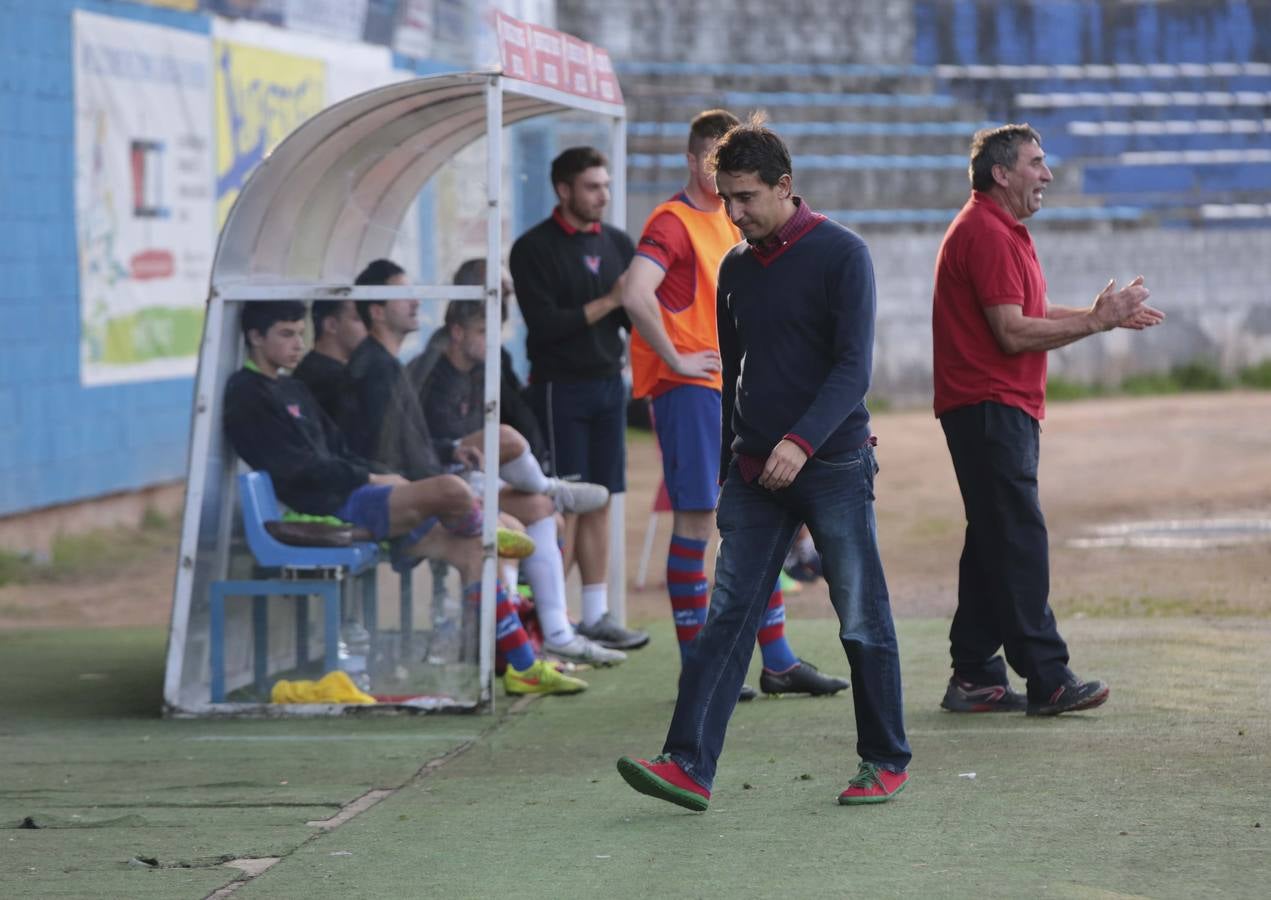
x=1005, y=573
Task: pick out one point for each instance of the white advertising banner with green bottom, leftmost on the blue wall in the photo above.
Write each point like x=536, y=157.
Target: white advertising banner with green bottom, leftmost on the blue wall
x=144, y=210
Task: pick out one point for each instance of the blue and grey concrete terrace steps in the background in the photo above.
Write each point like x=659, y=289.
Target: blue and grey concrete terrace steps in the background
x=888, y=143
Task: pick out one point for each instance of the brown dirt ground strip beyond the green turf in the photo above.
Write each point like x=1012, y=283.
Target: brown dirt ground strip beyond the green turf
x=1111, y=461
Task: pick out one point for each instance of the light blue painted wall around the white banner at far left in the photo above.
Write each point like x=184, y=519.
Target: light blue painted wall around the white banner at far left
x=60, y=442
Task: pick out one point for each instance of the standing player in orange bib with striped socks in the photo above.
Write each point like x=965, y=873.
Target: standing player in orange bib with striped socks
x=670, y=297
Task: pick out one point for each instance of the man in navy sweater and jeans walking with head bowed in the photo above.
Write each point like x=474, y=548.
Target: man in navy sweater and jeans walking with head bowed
x=796, y=313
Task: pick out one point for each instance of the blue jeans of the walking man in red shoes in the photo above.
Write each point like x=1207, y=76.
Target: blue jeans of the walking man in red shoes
x=757, y=527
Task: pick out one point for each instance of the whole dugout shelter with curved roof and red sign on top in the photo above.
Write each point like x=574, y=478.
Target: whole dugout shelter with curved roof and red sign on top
x=329, y=200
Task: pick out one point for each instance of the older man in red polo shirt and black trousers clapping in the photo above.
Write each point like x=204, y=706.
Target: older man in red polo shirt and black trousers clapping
x=992, y=327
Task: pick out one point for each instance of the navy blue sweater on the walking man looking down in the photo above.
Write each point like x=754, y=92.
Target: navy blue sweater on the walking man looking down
x=796, y=339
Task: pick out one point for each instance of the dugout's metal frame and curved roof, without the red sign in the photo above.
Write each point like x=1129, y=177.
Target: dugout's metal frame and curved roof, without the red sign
x=325, y=203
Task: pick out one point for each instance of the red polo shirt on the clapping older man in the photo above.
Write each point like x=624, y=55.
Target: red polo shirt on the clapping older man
x=986, y=260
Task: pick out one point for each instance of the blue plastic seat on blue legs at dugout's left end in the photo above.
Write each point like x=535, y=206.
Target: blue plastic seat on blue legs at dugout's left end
x=289, y=571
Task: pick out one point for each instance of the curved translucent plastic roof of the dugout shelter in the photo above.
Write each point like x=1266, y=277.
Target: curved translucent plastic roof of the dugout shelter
x=335, y=193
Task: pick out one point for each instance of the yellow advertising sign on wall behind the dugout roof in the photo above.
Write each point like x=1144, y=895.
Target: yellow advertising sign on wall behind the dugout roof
x=261, y=97
